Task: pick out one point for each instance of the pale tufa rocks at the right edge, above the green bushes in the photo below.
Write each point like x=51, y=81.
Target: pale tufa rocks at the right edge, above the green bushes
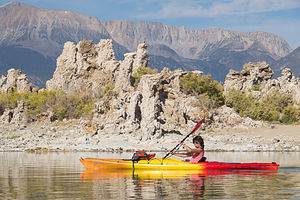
x=255, y=78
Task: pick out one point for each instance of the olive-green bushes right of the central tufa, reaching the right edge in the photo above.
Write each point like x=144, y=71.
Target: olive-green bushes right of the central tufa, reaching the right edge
x=274, y=107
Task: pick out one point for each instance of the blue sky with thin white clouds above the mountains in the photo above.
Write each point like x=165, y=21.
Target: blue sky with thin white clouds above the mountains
x=281, y=17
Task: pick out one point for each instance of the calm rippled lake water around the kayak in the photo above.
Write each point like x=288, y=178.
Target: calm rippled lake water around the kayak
x=62, y=176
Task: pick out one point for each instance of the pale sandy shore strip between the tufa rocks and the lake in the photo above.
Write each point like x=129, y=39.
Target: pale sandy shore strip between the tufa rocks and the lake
x=72, y=136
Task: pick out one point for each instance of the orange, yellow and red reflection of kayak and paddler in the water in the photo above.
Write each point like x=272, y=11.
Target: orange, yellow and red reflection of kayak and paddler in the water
x=168, y=183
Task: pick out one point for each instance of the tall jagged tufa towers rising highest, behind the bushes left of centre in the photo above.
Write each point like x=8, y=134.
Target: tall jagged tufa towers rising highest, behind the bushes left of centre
x=92, y=67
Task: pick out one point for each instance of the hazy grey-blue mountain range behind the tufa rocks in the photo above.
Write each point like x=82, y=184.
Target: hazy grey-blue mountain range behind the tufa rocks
x=32, y=38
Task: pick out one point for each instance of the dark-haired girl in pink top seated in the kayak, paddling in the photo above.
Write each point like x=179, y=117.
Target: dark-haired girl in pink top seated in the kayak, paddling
x=197, y=154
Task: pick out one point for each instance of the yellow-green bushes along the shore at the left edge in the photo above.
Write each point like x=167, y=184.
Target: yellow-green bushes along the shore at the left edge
x=72, y=105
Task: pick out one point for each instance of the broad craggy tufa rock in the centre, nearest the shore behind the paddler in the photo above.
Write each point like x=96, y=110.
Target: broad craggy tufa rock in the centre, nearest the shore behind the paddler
x=155, y=107
